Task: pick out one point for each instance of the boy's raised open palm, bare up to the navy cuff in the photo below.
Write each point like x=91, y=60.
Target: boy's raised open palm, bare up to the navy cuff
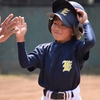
x=21, y=29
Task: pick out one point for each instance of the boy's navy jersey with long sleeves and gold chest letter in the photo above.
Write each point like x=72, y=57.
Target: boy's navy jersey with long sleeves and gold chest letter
x=59, y=63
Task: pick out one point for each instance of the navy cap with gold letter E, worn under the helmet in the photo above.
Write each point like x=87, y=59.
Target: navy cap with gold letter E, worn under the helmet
x=66, y=15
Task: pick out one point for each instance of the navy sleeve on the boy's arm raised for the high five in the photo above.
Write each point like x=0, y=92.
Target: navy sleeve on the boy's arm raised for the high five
x=30, y=61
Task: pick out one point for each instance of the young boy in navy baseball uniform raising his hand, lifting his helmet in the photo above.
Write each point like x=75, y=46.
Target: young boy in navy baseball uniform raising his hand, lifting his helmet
x=60, y=61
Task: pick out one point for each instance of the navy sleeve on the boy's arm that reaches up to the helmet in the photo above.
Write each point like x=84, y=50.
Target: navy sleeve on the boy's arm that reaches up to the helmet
x=89, y=41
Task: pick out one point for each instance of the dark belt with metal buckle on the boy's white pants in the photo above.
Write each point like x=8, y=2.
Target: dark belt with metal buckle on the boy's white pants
x=58, y=95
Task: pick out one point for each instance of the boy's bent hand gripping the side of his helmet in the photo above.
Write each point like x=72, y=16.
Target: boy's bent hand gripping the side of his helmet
x=81, y=16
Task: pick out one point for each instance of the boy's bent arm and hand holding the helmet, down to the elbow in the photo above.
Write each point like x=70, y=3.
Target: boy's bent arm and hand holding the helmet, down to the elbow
x=89, y=36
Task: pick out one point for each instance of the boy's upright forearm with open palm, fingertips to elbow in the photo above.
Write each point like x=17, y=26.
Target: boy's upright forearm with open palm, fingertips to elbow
x=20, y=37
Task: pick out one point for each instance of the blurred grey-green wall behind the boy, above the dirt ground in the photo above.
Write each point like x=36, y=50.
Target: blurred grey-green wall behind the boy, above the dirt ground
x=34, y=12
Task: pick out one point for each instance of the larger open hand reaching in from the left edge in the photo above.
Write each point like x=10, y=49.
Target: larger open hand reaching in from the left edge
x=7, y=27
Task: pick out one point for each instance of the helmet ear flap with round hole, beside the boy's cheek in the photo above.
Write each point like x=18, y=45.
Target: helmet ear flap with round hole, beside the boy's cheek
x=78, y=30
